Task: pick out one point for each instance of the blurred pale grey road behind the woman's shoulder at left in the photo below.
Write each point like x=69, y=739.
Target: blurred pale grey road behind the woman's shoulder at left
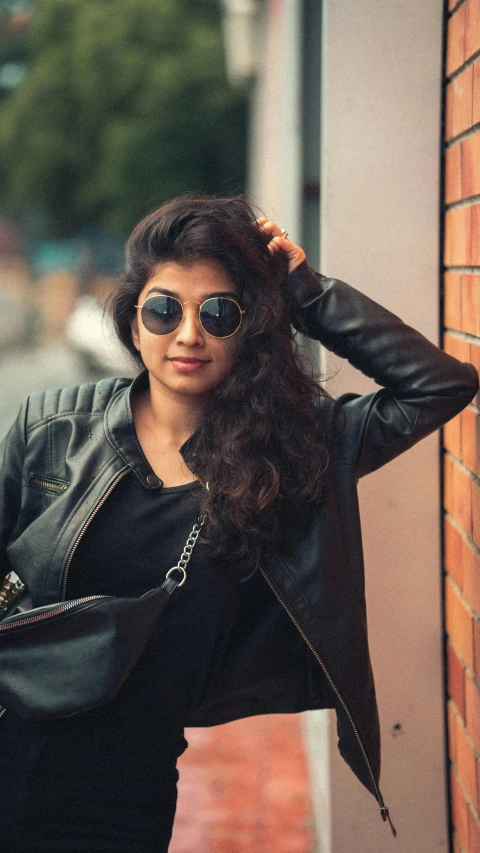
x=22, y=371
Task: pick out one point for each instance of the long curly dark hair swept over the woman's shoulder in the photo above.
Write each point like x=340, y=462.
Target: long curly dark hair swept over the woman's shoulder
x=263, y=448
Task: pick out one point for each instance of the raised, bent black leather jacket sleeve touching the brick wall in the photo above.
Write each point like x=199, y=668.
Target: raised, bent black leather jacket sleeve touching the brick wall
x=423, y=387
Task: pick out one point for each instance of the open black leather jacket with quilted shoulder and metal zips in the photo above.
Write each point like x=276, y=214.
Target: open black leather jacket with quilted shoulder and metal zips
x=69, y=448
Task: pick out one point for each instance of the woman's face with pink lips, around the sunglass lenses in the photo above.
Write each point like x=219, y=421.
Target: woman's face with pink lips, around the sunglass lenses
x=187, y=362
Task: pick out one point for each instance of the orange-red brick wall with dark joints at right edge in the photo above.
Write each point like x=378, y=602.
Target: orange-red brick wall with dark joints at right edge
x=462, y=435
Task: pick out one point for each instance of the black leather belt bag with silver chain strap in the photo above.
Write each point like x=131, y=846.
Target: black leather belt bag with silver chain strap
x=72, y=656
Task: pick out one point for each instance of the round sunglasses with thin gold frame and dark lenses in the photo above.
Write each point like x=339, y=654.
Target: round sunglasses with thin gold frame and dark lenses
x=219, y=316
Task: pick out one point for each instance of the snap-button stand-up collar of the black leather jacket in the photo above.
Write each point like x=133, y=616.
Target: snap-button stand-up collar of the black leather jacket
x=121, y=434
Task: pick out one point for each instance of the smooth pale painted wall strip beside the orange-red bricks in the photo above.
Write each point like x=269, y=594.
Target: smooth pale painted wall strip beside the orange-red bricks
x=379, y=231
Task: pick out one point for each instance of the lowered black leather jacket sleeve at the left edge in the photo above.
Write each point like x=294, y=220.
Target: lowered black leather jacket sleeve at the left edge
x=12, y=452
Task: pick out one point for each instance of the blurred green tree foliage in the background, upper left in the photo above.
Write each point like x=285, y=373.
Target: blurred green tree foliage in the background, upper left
x=123, y=105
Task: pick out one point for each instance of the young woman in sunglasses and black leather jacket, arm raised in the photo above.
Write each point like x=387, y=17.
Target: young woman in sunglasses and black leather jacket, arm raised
x=103, y=483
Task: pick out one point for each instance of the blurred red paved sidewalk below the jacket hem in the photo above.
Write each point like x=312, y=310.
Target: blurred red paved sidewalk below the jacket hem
x=244, y=789
